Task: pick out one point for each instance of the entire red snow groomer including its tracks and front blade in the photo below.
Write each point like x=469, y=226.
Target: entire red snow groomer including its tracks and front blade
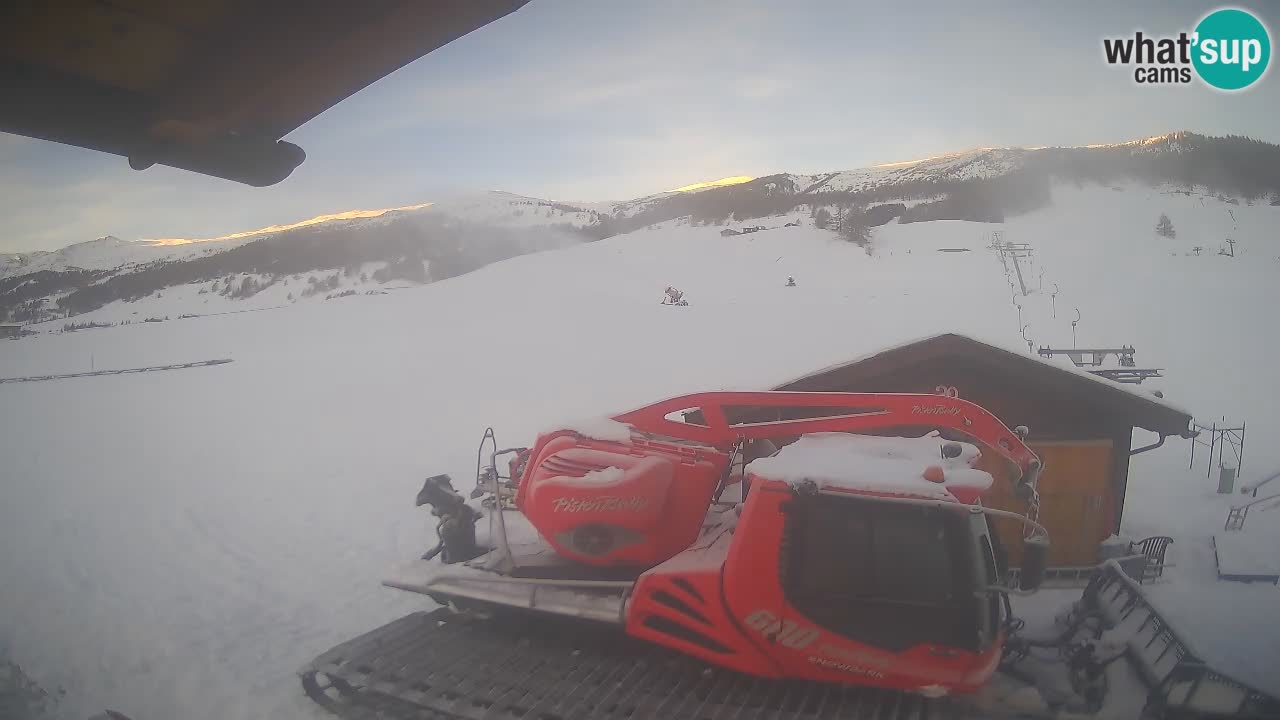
x=760, y=555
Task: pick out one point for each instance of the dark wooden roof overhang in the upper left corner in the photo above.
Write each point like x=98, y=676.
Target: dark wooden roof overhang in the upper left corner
x=209, y=86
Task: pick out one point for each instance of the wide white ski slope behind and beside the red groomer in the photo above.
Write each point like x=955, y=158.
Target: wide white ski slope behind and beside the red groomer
x=177, y=545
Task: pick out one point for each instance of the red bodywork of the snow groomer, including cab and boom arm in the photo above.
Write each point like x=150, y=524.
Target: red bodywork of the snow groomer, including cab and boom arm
x=843, y=585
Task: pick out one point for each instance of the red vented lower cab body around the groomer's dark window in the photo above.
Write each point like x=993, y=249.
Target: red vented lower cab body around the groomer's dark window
x=730, y=608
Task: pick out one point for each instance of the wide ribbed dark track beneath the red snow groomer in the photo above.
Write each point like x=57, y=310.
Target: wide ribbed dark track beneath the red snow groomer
x=442, y=666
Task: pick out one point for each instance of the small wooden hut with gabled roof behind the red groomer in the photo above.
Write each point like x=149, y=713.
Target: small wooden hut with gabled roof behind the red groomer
x=1081, y=426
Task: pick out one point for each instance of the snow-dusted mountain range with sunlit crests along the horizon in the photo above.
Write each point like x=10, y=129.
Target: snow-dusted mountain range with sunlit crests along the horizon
x=363, y=250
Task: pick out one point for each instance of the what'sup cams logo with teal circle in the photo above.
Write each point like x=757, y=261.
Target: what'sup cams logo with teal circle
x=1229, y=49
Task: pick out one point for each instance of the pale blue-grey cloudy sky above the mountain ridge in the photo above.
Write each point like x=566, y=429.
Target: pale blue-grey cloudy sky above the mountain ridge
x=609, y=101
